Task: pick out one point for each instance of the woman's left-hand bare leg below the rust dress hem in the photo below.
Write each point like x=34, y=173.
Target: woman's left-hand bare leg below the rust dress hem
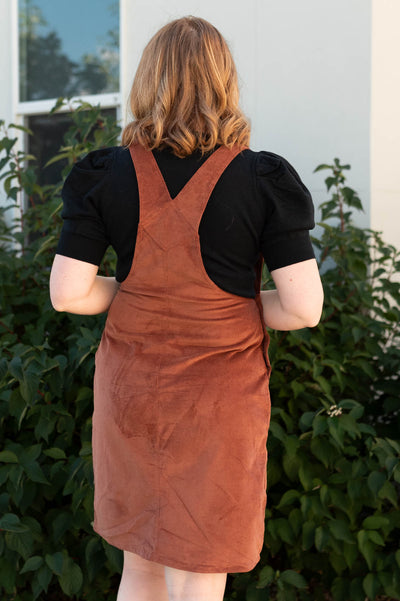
x=142, y=580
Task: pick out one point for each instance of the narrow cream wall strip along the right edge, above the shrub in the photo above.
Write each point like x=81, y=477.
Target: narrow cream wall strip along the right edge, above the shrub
x=385, y=120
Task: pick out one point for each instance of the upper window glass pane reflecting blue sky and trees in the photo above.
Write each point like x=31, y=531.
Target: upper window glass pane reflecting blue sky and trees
x=68, y=48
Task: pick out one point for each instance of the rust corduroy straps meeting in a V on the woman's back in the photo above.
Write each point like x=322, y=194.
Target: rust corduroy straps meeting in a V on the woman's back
x=191, y=201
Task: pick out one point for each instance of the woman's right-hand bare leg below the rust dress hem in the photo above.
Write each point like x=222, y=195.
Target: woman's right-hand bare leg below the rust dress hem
x=192, y=586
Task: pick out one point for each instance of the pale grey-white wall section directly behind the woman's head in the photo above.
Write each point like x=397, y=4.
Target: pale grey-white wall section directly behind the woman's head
x=305, y=73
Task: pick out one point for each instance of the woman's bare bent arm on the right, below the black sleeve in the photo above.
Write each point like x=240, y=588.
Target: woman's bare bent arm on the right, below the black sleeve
x=297, y=301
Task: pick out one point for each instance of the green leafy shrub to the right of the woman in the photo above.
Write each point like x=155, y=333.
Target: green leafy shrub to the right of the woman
x=333, y=519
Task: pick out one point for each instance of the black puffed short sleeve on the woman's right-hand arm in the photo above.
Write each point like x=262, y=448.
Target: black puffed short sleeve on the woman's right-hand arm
x=285, y=238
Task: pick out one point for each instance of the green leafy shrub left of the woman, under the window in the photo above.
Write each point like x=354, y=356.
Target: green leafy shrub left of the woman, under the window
x=48, y=549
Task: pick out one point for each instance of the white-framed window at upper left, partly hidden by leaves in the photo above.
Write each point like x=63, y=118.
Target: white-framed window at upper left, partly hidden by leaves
x=68, y=49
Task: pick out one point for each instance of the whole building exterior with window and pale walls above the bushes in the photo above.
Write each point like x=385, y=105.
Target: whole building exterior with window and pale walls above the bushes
x=318, y=79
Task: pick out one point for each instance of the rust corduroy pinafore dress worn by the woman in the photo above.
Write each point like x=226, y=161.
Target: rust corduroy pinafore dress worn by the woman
x=181, y=408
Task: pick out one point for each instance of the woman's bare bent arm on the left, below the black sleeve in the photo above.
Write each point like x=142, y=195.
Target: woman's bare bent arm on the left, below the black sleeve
x=75, y=287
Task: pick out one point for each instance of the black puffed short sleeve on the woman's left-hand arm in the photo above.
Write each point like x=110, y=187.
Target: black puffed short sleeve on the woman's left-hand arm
x=83, y=234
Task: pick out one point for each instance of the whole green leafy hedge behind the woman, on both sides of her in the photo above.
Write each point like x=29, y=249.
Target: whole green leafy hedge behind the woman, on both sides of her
x=333, y=521
